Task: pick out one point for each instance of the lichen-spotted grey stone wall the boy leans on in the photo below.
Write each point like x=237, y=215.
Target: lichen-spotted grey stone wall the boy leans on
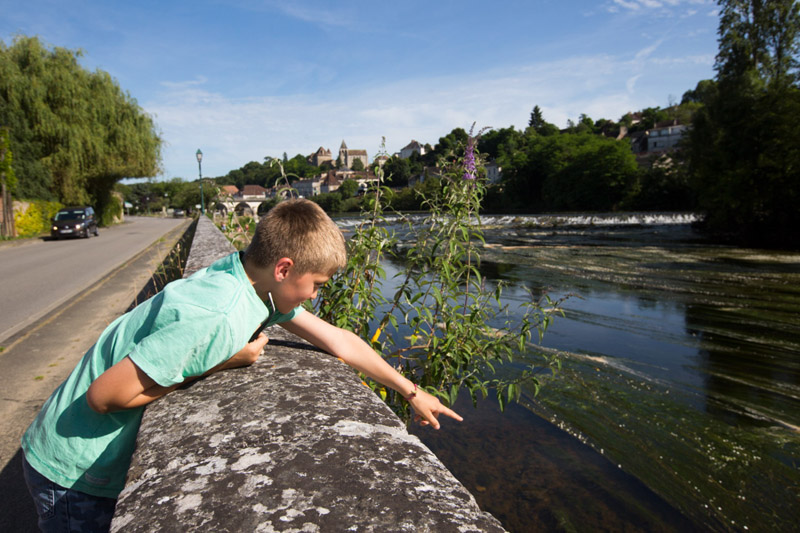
x=293, y=443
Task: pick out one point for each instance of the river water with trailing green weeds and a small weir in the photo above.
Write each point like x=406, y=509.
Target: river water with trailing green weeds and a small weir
x=678, y=406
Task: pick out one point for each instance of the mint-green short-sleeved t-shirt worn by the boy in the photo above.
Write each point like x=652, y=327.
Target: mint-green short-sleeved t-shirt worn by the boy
x=191, y=326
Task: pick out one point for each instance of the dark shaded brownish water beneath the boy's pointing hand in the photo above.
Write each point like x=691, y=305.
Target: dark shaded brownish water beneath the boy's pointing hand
x=535, y=477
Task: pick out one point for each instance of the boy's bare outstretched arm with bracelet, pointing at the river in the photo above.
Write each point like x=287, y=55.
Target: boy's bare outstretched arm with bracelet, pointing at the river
x=358, y=354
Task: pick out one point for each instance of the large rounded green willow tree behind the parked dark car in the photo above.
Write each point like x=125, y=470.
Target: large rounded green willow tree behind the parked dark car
x=74, y=133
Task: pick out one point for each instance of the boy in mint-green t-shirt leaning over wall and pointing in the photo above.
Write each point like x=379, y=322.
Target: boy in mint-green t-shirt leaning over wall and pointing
x=78, y=449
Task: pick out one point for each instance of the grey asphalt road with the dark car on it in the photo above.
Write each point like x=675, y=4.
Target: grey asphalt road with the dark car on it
x=40, y=275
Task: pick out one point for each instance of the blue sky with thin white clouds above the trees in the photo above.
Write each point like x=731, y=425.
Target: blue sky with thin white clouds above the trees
x=246, y=79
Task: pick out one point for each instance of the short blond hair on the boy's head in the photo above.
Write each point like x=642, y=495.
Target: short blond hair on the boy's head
x=303, y=232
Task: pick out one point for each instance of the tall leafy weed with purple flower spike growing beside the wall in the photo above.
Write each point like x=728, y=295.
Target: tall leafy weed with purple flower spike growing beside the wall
x=444, y=329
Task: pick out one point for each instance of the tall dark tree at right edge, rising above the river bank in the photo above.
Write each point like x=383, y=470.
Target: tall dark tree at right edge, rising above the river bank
x=744, y=147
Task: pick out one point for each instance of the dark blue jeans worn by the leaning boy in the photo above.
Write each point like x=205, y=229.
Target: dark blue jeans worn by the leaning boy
x=67, y=510
